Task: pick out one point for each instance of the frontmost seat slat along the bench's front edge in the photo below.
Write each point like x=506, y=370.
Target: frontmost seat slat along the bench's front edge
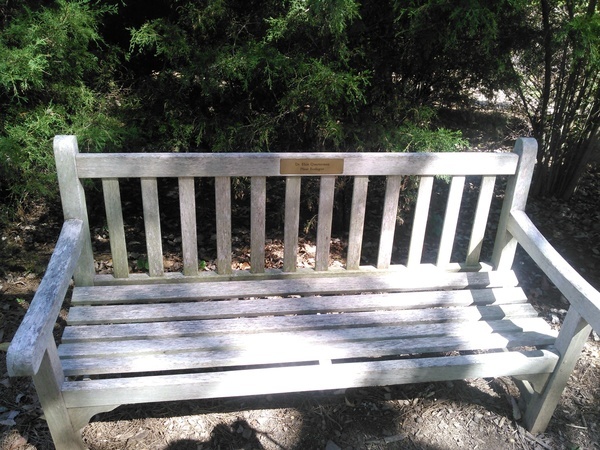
x=307, y=378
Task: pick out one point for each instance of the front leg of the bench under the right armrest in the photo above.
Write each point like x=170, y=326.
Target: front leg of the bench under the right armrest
x=573, y=336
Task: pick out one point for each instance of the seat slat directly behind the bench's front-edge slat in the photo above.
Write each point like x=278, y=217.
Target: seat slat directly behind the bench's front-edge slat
x=265, y=349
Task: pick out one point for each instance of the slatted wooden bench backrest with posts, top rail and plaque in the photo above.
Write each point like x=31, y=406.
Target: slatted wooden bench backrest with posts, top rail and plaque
x=73, y=167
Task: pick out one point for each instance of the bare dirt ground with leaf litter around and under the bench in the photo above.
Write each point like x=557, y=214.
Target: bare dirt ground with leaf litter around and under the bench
x=466, y=414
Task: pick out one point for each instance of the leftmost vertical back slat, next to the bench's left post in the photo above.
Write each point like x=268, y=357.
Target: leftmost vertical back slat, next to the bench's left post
x=116, y=229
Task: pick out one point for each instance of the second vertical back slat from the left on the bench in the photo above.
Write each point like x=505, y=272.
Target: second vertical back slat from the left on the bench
x=152, y=226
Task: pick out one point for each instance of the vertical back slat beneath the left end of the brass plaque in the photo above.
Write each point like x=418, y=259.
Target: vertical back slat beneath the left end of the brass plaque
x=292, y=221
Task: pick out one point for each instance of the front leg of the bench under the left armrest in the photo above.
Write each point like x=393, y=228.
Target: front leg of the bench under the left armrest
x=47, y=383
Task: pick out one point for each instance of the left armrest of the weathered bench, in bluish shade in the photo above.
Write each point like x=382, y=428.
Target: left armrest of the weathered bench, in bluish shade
x=31, y=339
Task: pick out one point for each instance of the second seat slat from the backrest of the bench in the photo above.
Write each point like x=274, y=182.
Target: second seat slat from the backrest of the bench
x=307, y=305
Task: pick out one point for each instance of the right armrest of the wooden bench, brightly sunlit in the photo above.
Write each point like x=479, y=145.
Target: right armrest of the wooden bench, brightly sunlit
x=580, y=294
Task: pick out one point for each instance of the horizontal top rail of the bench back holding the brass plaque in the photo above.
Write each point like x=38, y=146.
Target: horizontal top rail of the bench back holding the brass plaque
x=125, y=165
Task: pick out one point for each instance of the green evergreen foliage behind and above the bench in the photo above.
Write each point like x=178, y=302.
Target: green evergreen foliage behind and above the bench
x=288, y=75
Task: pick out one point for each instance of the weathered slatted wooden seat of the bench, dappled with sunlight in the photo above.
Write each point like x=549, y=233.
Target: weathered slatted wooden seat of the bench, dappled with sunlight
x=333, y=332
